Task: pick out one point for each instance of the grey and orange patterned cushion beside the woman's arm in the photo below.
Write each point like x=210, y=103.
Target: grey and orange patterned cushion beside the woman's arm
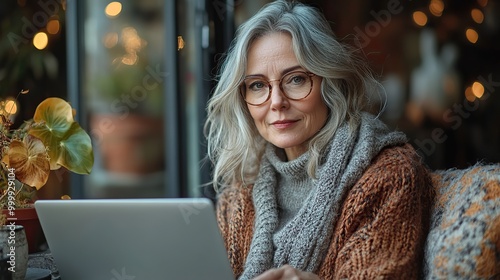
x=464, y=237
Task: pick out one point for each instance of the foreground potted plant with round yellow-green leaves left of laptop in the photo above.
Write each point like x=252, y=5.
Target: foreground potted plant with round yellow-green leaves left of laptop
x=52, y=139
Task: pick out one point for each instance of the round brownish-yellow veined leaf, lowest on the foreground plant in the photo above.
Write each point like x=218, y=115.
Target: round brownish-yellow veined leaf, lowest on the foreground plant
x=30, y=160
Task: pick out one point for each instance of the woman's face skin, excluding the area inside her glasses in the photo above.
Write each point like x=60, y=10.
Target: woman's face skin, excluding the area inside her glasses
x=286, y=123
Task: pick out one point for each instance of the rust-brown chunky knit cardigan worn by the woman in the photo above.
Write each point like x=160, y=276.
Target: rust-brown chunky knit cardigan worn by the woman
x=381, y=230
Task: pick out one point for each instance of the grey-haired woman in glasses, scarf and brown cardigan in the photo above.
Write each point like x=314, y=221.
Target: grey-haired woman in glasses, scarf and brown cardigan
x=310, y=186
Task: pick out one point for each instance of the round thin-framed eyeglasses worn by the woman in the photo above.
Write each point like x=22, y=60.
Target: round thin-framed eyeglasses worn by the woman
x=295, y=85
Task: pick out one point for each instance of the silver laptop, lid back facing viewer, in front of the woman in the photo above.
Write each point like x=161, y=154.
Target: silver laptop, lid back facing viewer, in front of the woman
x=134, y=239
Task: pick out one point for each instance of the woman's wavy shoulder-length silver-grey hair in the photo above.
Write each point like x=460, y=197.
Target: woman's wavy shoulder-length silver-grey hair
x=234, y=144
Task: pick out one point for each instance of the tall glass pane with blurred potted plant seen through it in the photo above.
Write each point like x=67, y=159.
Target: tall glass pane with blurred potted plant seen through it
x=122, y=87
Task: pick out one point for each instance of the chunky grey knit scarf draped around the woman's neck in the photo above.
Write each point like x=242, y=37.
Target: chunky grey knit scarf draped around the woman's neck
x=307, y=236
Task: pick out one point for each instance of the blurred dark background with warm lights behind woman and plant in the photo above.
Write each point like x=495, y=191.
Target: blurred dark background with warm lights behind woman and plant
x=139, y=73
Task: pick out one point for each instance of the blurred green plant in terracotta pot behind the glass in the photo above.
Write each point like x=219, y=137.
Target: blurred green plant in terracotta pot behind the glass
x=130, y=112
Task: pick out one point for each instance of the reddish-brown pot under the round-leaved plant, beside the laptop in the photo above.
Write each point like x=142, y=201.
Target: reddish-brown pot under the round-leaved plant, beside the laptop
x=28, y=218
